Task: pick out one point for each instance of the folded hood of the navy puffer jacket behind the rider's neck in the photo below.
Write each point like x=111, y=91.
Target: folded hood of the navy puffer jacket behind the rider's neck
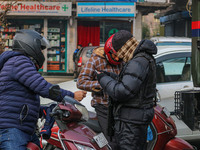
x=6, y=55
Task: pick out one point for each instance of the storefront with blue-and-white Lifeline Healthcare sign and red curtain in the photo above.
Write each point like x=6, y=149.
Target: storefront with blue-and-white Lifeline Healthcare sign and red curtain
x=97, y=21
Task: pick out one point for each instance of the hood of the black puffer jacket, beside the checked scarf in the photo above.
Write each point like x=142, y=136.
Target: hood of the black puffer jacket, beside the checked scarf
x=146, y=46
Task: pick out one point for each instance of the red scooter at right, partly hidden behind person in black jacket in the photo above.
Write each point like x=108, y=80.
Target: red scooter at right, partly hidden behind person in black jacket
x=164, y=131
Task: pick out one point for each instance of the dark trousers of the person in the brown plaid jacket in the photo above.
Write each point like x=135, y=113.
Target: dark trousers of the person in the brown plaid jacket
x=102, y=112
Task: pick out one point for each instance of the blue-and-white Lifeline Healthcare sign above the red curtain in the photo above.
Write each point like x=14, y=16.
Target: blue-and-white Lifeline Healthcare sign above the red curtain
x=105, y=9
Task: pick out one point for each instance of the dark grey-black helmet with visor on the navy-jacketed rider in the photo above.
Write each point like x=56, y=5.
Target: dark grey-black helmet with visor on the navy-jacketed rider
x=31, y=43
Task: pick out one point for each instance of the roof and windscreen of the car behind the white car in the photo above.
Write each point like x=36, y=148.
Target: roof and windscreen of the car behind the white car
x=171, y=41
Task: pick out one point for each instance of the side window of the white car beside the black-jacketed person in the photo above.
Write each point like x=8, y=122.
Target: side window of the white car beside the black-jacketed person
x=173, y=70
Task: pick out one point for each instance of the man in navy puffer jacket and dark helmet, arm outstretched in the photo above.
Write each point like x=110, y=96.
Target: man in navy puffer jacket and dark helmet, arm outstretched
x=20, y=88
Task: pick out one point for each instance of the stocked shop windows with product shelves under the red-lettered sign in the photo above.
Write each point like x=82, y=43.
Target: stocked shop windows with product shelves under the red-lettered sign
x=56, y=56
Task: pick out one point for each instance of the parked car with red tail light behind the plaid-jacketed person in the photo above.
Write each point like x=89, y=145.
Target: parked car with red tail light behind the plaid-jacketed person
x=82, y=57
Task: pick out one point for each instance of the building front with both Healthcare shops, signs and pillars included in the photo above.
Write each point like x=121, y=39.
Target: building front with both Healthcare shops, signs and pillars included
x=66, y=24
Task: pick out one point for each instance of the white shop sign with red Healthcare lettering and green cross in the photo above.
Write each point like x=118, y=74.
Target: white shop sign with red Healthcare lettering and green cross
x=23, y=8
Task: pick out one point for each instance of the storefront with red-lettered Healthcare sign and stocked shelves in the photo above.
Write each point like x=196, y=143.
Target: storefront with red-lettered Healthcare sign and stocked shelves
x=48, y=18
